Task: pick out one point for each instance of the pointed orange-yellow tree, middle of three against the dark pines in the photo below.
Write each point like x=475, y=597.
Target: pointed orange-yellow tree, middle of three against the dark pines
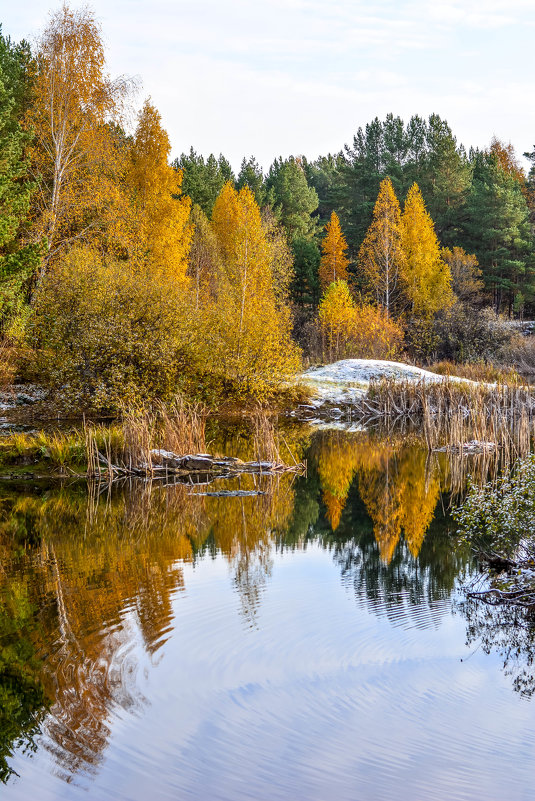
x=381, y=257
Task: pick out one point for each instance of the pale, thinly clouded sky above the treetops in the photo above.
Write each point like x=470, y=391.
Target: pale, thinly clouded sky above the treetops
x=298, y=77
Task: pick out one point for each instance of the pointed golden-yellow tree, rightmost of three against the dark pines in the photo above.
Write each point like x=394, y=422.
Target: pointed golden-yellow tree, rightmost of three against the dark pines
x=427, y=277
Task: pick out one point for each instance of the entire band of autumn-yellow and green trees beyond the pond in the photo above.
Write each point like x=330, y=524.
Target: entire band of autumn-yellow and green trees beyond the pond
x=127, y=277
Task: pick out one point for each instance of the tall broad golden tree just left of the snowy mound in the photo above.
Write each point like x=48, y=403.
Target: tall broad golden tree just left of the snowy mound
x=251, y=331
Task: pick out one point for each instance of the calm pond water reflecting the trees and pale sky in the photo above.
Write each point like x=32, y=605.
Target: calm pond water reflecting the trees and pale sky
x=309, y=642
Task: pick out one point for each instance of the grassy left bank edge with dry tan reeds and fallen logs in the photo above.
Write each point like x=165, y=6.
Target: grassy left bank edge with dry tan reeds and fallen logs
x=167, y=443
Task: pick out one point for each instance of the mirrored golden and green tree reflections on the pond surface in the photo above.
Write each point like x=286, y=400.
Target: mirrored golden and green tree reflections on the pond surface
x=89, y=578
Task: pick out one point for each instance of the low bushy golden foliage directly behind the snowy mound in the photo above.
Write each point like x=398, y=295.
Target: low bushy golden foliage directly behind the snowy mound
x=356, y=330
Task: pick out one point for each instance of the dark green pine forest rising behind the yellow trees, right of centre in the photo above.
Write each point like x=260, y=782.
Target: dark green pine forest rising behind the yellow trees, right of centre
x=481, y=200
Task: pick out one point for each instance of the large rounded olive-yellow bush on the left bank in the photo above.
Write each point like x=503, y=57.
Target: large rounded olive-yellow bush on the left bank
x=110, y=334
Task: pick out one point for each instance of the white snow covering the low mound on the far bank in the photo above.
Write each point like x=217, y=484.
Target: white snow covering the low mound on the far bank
x=344, y=381
